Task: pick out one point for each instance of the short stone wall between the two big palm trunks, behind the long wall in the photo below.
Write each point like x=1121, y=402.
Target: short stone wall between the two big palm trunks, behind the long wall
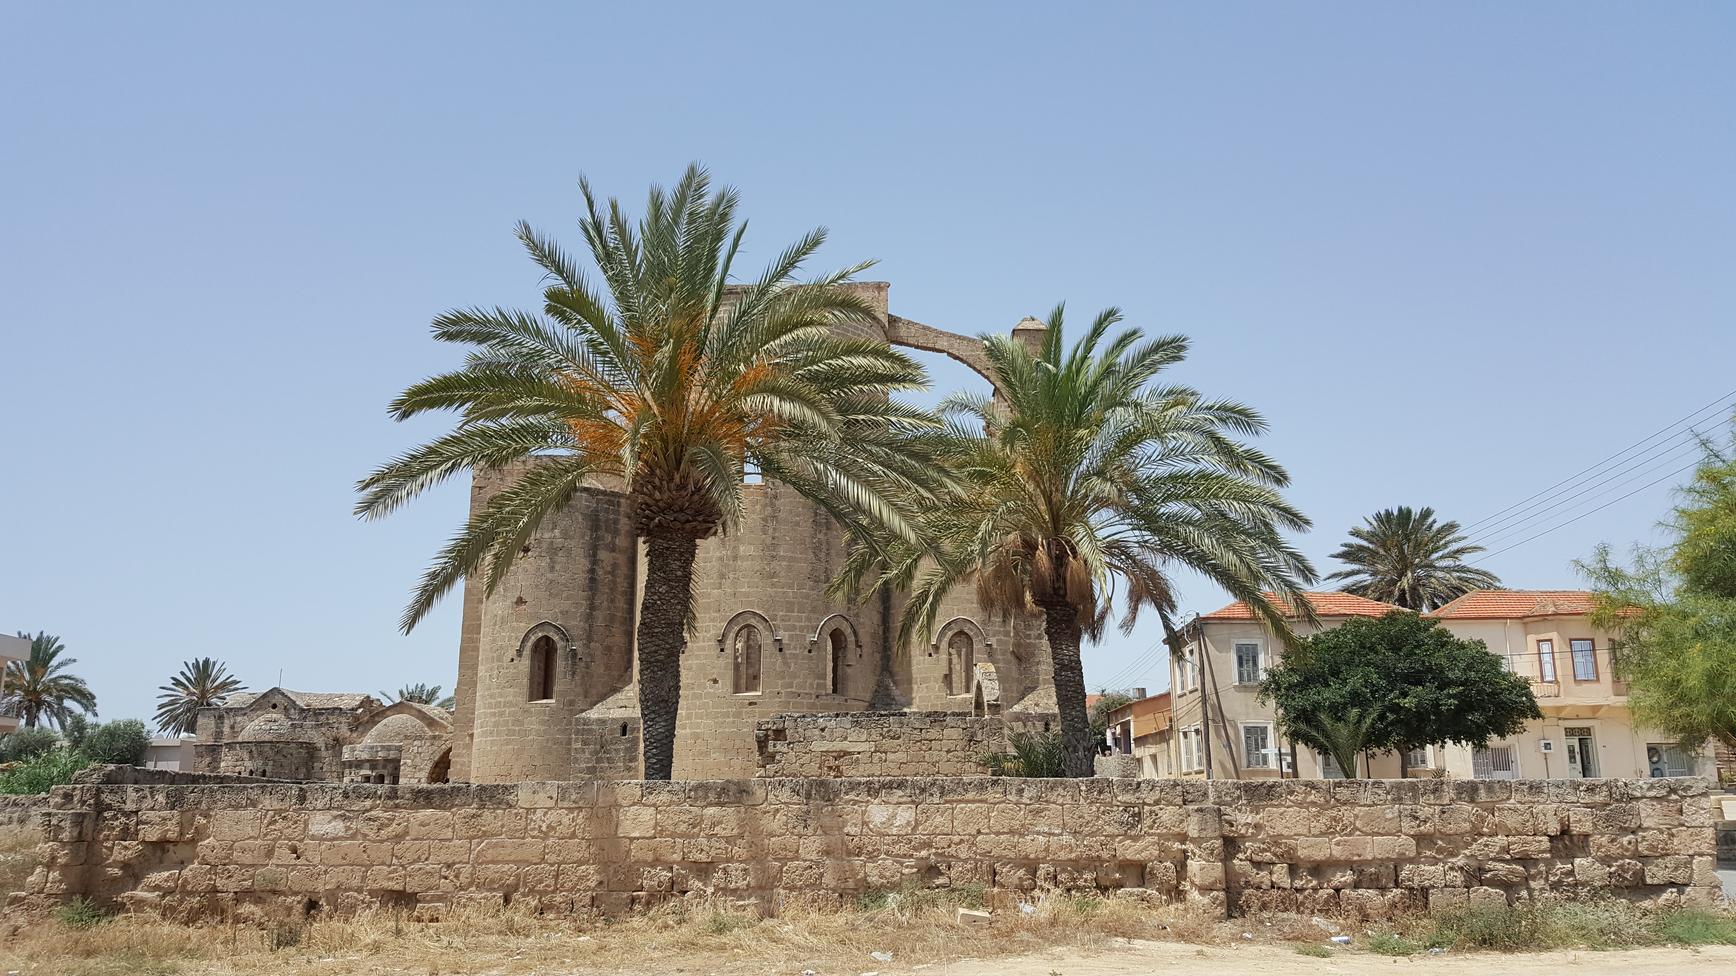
x=878, y=744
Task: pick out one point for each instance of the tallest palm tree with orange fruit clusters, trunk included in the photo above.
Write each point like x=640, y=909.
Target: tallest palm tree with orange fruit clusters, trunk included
x=671, y=381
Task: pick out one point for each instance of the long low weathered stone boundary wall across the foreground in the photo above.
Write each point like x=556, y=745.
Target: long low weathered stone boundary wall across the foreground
x=1360, y=847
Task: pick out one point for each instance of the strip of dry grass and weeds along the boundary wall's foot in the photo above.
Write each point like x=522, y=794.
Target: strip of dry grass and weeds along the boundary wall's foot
x=727, y=939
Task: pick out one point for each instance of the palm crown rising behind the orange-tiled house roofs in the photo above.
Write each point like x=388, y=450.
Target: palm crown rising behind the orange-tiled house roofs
x=1410, y=560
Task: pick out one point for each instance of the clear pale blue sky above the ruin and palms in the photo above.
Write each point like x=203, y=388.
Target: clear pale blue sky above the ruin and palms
x=1454, y=253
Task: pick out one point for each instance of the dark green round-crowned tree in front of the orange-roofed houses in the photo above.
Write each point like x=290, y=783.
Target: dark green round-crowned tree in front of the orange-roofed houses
x=1402, y=682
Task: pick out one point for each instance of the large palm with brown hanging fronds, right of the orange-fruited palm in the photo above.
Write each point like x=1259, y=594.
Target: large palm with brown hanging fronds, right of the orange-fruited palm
x=1082, y=475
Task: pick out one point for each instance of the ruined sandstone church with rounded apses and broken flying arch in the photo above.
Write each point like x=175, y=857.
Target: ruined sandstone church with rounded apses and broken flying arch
x=546, y=664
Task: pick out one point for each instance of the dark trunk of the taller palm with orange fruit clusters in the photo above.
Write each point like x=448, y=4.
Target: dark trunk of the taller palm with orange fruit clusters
x=662, y=636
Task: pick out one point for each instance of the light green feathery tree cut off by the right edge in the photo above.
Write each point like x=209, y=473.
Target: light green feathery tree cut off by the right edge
x=1674, y=612
